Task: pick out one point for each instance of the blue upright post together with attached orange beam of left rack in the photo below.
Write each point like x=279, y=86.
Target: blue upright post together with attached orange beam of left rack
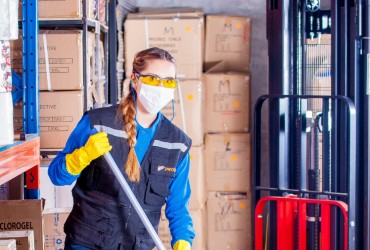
x=24, y=156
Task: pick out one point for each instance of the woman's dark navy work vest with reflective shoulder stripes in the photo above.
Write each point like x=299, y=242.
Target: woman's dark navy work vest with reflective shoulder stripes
x=102, y=216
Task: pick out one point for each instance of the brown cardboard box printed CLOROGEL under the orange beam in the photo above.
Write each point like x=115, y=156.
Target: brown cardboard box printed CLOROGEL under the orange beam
x=18, y=215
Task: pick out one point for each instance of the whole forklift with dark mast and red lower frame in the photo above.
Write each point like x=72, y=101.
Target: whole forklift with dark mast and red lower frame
x=313, y=191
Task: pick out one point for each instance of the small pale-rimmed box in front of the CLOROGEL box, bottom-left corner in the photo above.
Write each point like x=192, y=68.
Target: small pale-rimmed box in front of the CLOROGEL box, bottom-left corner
x=24, y=239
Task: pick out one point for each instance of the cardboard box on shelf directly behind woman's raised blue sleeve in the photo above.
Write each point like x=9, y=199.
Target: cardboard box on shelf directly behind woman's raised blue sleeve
x=59, y=115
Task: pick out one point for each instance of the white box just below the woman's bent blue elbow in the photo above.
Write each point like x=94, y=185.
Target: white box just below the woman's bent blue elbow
x=55, y=196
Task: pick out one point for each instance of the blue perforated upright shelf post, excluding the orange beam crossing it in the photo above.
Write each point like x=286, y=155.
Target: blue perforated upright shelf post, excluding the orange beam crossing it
x=31, y=121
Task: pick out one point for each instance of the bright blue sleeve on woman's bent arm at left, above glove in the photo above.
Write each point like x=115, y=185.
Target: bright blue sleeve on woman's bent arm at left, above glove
x=57, y=170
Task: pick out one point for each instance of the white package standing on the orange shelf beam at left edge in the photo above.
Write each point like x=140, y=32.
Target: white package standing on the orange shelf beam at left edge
x=6, y=121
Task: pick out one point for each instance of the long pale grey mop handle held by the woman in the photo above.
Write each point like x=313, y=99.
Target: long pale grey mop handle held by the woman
x=113, y=165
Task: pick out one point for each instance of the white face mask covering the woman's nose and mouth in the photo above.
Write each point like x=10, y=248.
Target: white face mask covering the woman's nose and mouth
x=155, y=98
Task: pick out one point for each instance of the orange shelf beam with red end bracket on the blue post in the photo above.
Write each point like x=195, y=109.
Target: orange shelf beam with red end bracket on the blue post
x=20, y=157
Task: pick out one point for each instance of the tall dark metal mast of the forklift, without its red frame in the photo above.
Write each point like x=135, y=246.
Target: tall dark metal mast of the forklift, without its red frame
x=289, y=24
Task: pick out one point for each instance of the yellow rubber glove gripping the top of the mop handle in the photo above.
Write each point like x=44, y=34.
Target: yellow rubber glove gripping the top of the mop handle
x=96, y=146
